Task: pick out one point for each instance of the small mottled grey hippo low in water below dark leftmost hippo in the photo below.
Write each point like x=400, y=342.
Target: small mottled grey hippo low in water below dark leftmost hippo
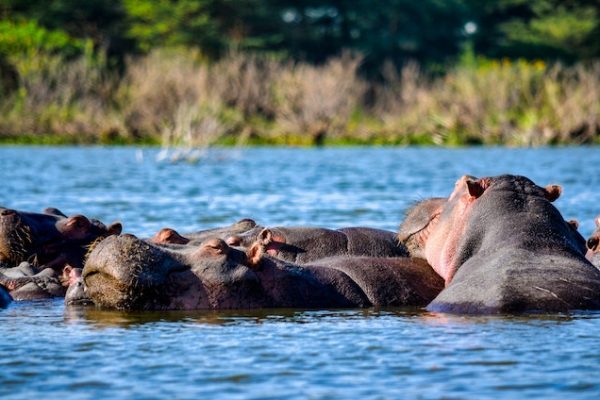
x=26, y=282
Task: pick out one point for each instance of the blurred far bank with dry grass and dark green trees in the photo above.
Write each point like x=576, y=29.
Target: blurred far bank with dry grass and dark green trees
x=300, y=72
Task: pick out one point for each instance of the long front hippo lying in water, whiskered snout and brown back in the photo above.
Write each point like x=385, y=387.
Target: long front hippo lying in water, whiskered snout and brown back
x=124, y=272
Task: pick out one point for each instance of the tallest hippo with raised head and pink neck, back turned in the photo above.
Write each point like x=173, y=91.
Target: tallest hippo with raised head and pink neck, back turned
x=501, y=246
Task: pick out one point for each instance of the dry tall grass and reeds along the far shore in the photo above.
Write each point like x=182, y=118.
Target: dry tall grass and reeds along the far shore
x=179, y=99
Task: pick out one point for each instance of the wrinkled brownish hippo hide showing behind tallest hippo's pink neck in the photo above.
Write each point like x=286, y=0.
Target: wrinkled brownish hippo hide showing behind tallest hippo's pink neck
x=419, y=220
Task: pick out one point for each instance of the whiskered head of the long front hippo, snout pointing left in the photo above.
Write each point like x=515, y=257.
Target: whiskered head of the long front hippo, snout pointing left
x=125, y=272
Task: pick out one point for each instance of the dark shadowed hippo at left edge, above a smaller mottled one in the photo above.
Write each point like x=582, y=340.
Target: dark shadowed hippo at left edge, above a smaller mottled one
x=50, y=238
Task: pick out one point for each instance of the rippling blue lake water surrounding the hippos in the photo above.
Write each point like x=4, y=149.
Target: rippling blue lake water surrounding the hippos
x=50, y=351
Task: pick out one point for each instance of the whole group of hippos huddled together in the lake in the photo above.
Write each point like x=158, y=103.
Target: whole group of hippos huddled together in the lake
x=495, y=245
